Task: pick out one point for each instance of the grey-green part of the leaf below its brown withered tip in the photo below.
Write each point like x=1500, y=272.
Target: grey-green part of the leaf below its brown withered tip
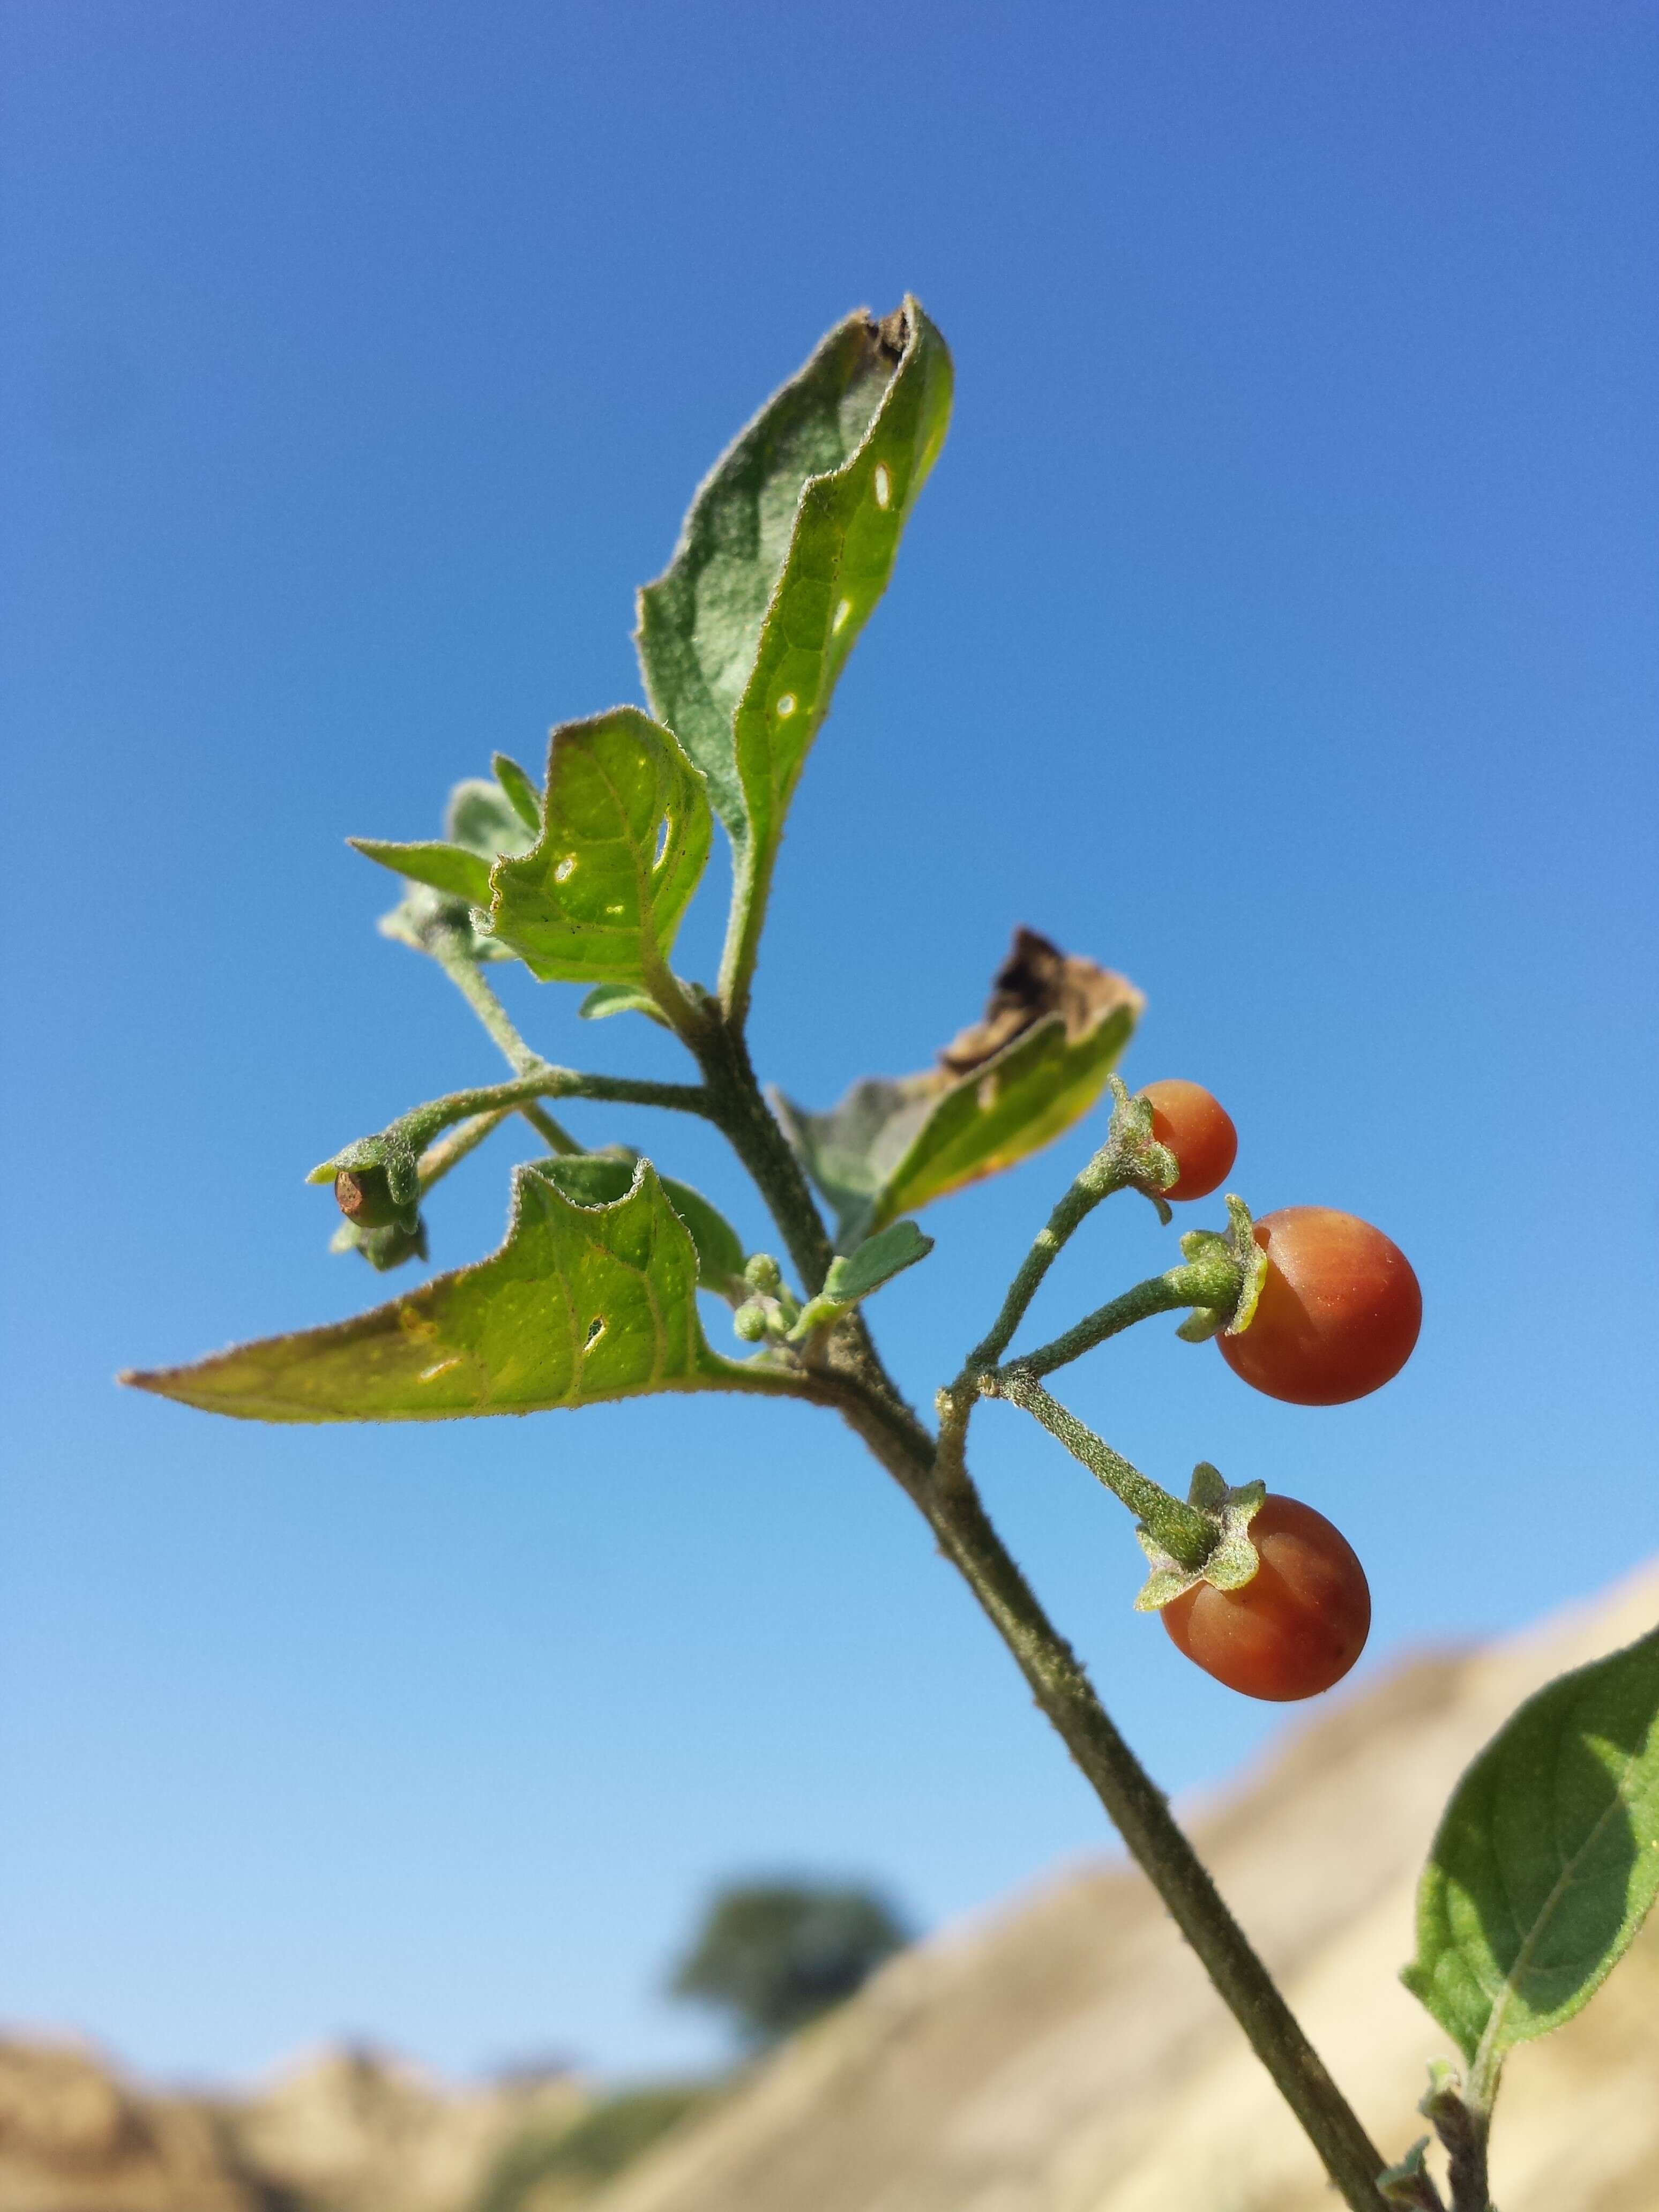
x=895, y=1145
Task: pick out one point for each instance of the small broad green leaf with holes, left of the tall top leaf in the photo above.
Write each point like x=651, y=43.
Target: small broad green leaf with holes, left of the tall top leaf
x=623, y=848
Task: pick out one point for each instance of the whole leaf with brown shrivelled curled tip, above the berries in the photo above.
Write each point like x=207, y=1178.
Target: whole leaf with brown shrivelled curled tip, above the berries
x=1005, y=1087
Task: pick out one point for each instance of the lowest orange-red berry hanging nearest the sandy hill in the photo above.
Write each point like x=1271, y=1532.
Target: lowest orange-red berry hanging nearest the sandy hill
x=1297, y=1627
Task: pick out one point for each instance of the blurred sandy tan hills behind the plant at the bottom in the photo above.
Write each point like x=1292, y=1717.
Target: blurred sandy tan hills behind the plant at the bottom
x=1061, y=2054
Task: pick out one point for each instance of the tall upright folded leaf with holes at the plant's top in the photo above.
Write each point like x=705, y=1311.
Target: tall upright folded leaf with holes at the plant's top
x=784, y=554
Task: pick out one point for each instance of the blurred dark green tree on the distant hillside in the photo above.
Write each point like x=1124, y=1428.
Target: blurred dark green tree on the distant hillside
x=778, y=1954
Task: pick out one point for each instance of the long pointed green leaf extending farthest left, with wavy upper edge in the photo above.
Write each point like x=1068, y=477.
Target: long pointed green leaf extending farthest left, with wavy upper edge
x=581, y=1304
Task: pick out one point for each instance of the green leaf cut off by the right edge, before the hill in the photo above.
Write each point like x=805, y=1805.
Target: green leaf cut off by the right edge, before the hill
x=1545, y=1864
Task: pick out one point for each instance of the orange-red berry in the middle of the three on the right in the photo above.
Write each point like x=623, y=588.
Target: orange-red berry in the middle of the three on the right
x=1339, y=1311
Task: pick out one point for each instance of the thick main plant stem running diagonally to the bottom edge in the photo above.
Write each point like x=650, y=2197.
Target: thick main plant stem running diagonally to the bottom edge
x=943, y=1492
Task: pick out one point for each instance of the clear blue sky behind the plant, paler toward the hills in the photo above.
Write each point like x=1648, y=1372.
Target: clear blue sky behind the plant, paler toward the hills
x=1280, y=627
